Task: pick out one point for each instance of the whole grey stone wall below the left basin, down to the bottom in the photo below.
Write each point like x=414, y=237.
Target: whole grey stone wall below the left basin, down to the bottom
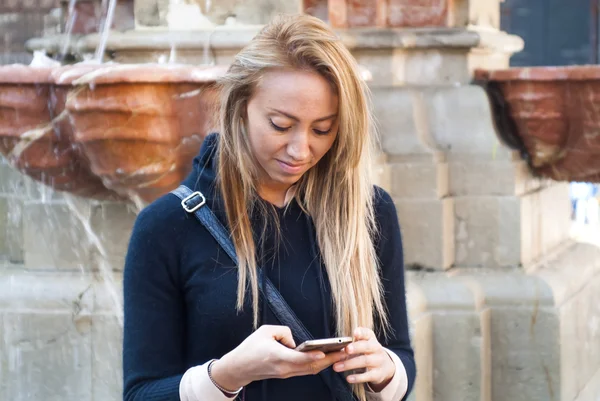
x=61, y=259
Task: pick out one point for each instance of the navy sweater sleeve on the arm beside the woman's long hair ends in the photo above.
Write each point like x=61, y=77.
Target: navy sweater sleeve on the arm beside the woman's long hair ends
x=389, y=250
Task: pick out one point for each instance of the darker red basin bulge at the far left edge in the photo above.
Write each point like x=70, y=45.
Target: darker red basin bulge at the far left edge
x=33, y=134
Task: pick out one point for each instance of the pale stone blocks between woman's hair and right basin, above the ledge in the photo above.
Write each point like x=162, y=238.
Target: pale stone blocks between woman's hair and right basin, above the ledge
x=477, y=202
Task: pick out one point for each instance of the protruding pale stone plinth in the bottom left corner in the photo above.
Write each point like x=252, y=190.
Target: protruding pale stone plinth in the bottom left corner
x=61, y=340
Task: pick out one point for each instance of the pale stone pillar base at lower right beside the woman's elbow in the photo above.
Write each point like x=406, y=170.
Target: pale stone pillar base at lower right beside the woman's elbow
x=506, y=335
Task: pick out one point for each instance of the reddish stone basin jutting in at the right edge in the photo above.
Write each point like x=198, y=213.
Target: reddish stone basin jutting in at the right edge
x=550, y=114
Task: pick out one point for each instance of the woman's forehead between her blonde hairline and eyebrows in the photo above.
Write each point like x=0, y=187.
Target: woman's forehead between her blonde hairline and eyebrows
x=296, y=91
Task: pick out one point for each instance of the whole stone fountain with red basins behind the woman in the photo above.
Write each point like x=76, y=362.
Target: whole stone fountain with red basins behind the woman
x=503, y=303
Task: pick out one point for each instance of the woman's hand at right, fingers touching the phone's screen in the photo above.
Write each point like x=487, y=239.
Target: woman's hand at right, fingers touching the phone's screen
x=367, y=354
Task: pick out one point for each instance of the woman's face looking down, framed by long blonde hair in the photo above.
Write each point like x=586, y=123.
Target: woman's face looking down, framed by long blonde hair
x=292, y=123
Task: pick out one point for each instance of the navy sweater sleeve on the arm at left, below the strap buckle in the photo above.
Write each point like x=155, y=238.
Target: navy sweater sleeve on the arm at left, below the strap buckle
x=153, y=338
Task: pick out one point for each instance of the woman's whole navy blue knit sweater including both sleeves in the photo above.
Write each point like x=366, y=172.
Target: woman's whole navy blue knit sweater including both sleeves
x=180, y=293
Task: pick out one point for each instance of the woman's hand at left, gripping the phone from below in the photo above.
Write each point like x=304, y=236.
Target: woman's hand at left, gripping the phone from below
x=269, y=353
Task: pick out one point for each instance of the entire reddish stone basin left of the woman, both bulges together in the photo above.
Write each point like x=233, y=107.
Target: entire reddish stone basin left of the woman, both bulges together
x=107, y=131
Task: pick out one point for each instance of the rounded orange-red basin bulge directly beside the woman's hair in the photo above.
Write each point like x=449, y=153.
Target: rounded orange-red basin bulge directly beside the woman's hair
x=141, y=125
